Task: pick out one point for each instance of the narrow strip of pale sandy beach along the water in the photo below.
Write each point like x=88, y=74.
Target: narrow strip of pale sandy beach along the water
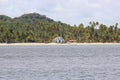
x=54, y=44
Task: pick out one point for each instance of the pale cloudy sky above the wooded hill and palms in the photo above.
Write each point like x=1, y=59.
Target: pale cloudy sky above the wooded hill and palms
x=72, y=12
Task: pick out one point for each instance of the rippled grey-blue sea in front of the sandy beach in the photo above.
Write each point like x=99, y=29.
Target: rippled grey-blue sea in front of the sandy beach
x=62, y=62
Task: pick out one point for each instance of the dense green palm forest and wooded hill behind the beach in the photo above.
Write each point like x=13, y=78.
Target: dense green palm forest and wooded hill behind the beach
x=34, y=27
